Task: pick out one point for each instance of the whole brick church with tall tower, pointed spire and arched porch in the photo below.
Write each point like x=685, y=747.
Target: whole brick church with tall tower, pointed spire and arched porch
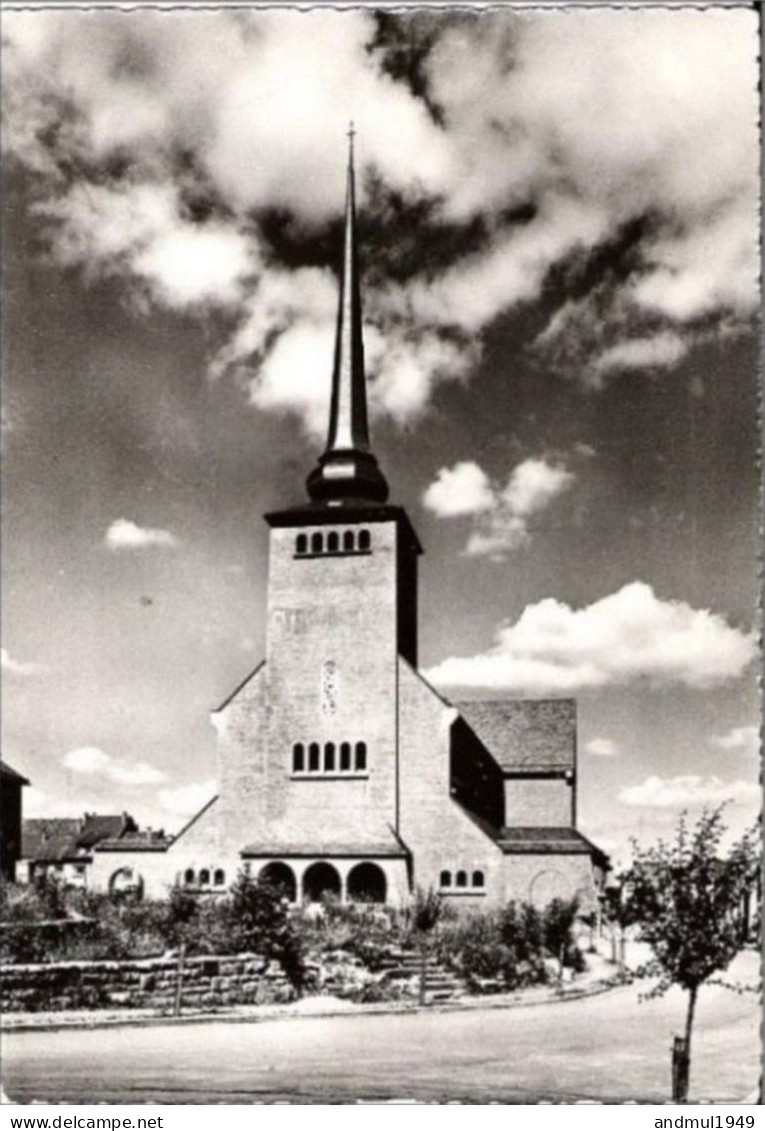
x=342, y=772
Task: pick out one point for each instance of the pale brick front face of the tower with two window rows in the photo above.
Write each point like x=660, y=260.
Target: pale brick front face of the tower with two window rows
x=331, y=678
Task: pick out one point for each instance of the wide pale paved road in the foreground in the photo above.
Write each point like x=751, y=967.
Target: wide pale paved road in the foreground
x=606, y=1048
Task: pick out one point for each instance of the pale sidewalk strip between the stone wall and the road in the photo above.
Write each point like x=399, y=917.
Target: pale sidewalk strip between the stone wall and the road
x=600, y=978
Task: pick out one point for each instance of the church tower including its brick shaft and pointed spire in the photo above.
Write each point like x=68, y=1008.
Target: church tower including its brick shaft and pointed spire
x=324, y=764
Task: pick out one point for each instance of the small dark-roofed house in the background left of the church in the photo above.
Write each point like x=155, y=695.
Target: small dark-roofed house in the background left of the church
x=63, y=848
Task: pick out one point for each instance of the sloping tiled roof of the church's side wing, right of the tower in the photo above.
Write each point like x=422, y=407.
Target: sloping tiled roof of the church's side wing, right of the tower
x=526, y=736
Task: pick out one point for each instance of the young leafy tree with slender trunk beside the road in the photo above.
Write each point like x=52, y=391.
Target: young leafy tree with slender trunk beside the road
x=687, y=897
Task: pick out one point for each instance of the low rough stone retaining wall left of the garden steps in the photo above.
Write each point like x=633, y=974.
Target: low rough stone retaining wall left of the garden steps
x=209, y=982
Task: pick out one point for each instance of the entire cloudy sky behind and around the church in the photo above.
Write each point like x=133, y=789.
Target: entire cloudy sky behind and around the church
x=558, y=217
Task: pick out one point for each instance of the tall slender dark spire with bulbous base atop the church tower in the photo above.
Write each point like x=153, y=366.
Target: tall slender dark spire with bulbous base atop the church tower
x=348, y=470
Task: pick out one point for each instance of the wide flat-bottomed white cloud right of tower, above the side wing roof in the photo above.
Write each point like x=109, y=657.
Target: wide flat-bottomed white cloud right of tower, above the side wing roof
x=624, y=638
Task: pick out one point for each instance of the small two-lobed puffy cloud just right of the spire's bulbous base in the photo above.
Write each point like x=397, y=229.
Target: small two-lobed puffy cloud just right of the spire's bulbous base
x=502, y=514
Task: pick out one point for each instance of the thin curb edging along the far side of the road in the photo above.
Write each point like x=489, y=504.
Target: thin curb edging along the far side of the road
x=85, y=1021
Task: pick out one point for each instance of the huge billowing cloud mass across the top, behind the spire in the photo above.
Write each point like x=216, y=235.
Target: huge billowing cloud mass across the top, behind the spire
x=161, y=144
